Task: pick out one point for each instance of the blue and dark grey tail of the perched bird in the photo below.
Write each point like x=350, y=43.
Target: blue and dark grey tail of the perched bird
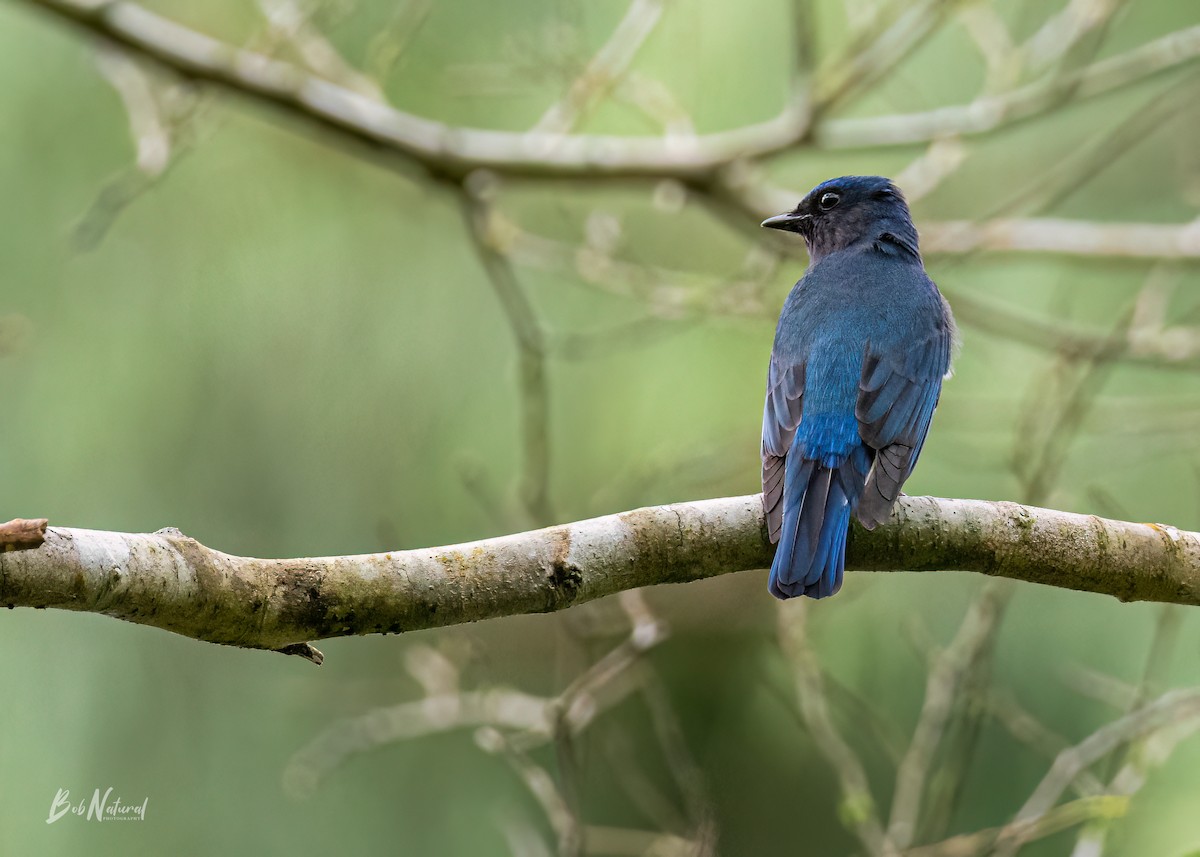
x=812, y=555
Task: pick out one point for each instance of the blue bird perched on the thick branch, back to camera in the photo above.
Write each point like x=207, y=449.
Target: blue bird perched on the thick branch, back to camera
x=863, y=344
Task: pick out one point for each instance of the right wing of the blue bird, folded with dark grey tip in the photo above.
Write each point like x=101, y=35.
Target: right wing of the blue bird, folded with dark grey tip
x=897, y=397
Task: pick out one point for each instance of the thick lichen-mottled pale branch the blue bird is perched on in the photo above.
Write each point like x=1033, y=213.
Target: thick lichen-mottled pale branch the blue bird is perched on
x=172, y=582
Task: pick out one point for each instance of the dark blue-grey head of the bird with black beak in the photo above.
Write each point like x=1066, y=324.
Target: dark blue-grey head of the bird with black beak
x=843, y=212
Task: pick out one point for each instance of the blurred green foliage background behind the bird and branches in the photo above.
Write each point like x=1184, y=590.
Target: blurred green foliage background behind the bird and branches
x=285, y=349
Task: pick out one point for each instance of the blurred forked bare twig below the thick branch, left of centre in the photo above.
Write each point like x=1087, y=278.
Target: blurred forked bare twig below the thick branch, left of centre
x=512, y=724
